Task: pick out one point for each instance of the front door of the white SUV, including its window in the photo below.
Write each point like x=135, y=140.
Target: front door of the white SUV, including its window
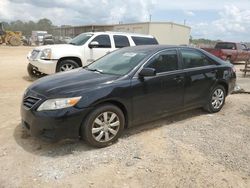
x=102, y=48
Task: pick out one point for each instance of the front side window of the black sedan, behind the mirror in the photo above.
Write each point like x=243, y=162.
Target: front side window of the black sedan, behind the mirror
x=164, y=61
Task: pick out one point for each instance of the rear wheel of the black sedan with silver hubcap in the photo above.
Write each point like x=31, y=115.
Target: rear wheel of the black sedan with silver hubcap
x=216, y=99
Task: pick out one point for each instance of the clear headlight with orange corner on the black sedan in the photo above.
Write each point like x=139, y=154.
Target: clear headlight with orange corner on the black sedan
x=55, y=104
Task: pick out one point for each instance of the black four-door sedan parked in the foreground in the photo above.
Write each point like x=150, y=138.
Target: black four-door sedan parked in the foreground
x=124, y=88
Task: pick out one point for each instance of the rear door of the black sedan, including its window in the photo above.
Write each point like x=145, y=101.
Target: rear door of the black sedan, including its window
x=200, y=76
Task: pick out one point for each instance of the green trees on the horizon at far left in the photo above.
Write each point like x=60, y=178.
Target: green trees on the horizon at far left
x=27, y=27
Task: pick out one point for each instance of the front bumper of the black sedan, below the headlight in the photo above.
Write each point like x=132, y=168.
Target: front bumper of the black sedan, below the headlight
x=54, y=125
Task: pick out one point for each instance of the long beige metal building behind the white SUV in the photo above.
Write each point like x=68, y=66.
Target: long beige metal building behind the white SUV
x=165, y=32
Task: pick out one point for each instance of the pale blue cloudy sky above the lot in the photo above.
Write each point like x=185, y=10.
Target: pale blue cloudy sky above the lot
x=227, y=20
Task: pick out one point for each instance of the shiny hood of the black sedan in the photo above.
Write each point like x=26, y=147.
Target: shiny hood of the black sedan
x=74, y=82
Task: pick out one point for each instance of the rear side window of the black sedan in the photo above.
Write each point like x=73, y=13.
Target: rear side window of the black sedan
x=192, y=59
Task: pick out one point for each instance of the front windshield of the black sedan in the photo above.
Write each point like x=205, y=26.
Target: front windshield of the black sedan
x=119, y=62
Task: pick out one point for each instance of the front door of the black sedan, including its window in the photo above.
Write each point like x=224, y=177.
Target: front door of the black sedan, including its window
x=160, y=94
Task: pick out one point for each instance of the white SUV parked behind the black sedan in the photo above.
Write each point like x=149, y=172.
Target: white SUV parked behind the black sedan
x=81, y=51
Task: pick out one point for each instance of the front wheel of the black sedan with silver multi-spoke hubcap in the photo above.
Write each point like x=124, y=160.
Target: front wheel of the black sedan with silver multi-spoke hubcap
x=103, y=126
